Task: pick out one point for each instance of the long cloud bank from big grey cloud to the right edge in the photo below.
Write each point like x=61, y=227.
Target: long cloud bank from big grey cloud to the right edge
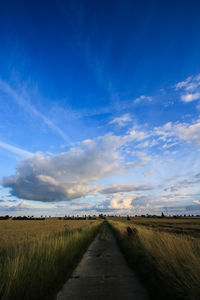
x=78, y=172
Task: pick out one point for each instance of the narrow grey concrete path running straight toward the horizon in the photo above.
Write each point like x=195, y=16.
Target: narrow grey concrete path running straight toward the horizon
x=103, y=274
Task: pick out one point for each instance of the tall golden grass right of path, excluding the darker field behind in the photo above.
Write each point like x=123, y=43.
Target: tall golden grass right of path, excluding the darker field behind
x=174, y=260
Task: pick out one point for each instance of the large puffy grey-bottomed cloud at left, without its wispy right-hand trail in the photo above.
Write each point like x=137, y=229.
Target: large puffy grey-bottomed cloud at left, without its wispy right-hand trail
x=68, y=175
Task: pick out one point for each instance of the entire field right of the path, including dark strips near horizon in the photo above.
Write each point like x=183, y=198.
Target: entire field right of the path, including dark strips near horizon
x=167, y=263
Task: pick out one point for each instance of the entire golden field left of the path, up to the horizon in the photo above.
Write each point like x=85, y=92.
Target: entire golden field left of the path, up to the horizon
x=36, y=257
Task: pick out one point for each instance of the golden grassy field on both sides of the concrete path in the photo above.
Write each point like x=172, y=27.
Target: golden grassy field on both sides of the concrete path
x=36, y=257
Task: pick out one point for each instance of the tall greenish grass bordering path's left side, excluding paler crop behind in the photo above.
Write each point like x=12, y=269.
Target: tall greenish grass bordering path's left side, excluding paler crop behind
x=39, y=268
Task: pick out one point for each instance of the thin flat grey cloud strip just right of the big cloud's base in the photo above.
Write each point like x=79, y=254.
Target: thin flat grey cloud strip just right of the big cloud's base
x=125, y=188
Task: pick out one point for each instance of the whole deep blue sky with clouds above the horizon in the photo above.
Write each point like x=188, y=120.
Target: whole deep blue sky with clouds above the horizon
x=100, y=107
